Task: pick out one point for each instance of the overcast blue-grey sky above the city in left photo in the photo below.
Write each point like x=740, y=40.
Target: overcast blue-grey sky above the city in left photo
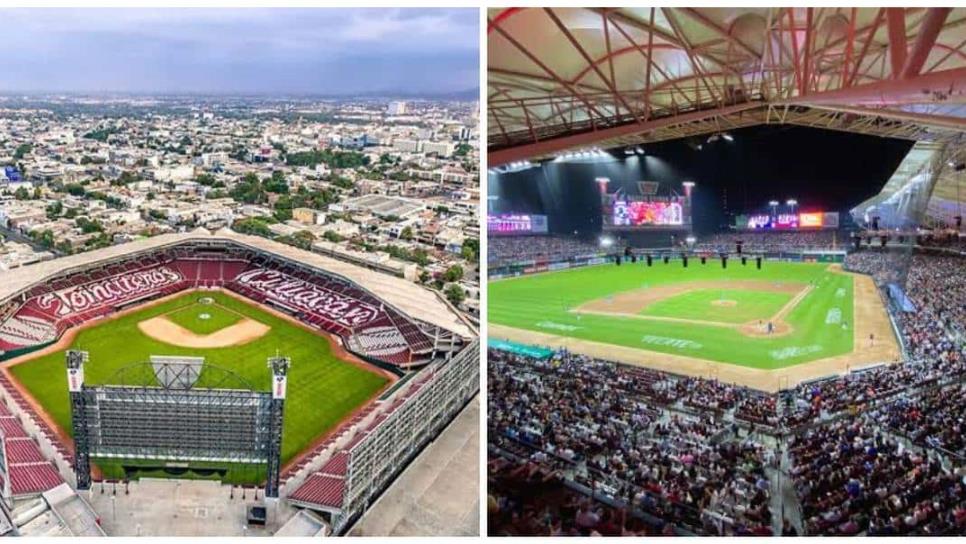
x=237, y=50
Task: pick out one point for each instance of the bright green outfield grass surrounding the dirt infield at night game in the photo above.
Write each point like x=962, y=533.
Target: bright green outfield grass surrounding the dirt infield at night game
x=543, y=302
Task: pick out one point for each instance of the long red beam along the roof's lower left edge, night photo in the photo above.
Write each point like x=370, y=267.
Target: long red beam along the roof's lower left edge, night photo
x=553, y=145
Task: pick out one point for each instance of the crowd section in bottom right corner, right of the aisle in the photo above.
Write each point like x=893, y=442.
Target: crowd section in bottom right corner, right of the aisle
x=850, y=478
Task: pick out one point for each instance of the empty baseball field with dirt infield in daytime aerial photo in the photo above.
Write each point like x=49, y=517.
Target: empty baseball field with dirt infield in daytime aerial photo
x=325, y=385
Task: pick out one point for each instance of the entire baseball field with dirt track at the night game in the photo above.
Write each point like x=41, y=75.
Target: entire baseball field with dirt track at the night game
x=770, y=319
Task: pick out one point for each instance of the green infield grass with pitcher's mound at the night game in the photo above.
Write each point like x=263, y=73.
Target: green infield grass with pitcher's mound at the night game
x=699, y=304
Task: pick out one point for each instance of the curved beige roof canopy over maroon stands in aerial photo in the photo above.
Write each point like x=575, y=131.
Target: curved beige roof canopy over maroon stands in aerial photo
x=412, y=299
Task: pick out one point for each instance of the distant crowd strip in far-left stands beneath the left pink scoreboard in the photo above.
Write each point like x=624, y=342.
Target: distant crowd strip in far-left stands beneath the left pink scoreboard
x=507, y=249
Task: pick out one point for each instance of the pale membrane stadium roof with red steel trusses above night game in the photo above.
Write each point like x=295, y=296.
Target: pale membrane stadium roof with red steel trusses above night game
x=566, y=79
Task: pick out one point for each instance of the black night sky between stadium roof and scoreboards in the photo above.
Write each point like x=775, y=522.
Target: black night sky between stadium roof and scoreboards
x=824, y=170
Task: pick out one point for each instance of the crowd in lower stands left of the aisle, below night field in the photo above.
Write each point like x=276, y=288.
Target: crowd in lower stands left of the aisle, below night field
x=691, y=470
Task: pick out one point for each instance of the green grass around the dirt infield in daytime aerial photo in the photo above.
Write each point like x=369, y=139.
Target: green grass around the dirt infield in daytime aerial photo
x=322, y=389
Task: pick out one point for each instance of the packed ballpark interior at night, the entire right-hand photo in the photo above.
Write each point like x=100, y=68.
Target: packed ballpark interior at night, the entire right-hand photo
x=726, y=271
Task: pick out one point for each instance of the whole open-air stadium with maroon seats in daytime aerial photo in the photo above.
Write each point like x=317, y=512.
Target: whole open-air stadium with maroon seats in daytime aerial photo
x=273, y=389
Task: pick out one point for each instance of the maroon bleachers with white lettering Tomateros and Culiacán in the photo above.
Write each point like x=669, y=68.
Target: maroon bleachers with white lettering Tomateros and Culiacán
x=330, y=303
